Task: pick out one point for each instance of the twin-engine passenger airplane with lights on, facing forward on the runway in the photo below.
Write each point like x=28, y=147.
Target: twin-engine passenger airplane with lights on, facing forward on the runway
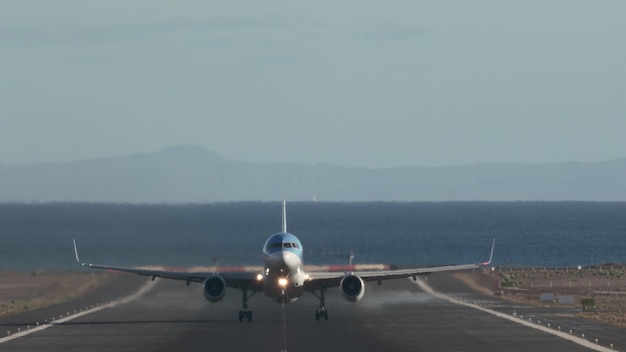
x=283, y=278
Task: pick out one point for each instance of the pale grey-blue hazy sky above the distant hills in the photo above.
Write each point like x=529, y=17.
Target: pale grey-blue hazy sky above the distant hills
x=357, y=83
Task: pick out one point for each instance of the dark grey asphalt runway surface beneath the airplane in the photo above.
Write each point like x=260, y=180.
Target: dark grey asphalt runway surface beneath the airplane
x=397, y=316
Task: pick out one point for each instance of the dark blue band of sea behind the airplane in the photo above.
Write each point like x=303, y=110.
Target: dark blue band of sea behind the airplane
x=39, y=236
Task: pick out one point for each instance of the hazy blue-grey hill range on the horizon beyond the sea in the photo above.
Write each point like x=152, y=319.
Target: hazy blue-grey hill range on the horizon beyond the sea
x=192, y=174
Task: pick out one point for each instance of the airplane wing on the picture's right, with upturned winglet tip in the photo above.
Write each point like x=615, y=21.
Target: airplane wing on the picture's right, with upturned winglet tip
x=333, y=279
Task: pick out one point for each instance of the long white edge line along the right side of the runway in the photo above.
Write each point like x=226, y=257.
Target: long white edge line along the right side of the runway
x=424, y=286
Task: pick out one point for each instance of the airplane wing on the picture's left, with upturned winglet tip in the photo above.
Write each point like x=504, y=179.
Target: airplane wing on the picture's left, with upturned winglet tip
x=233, y=279
